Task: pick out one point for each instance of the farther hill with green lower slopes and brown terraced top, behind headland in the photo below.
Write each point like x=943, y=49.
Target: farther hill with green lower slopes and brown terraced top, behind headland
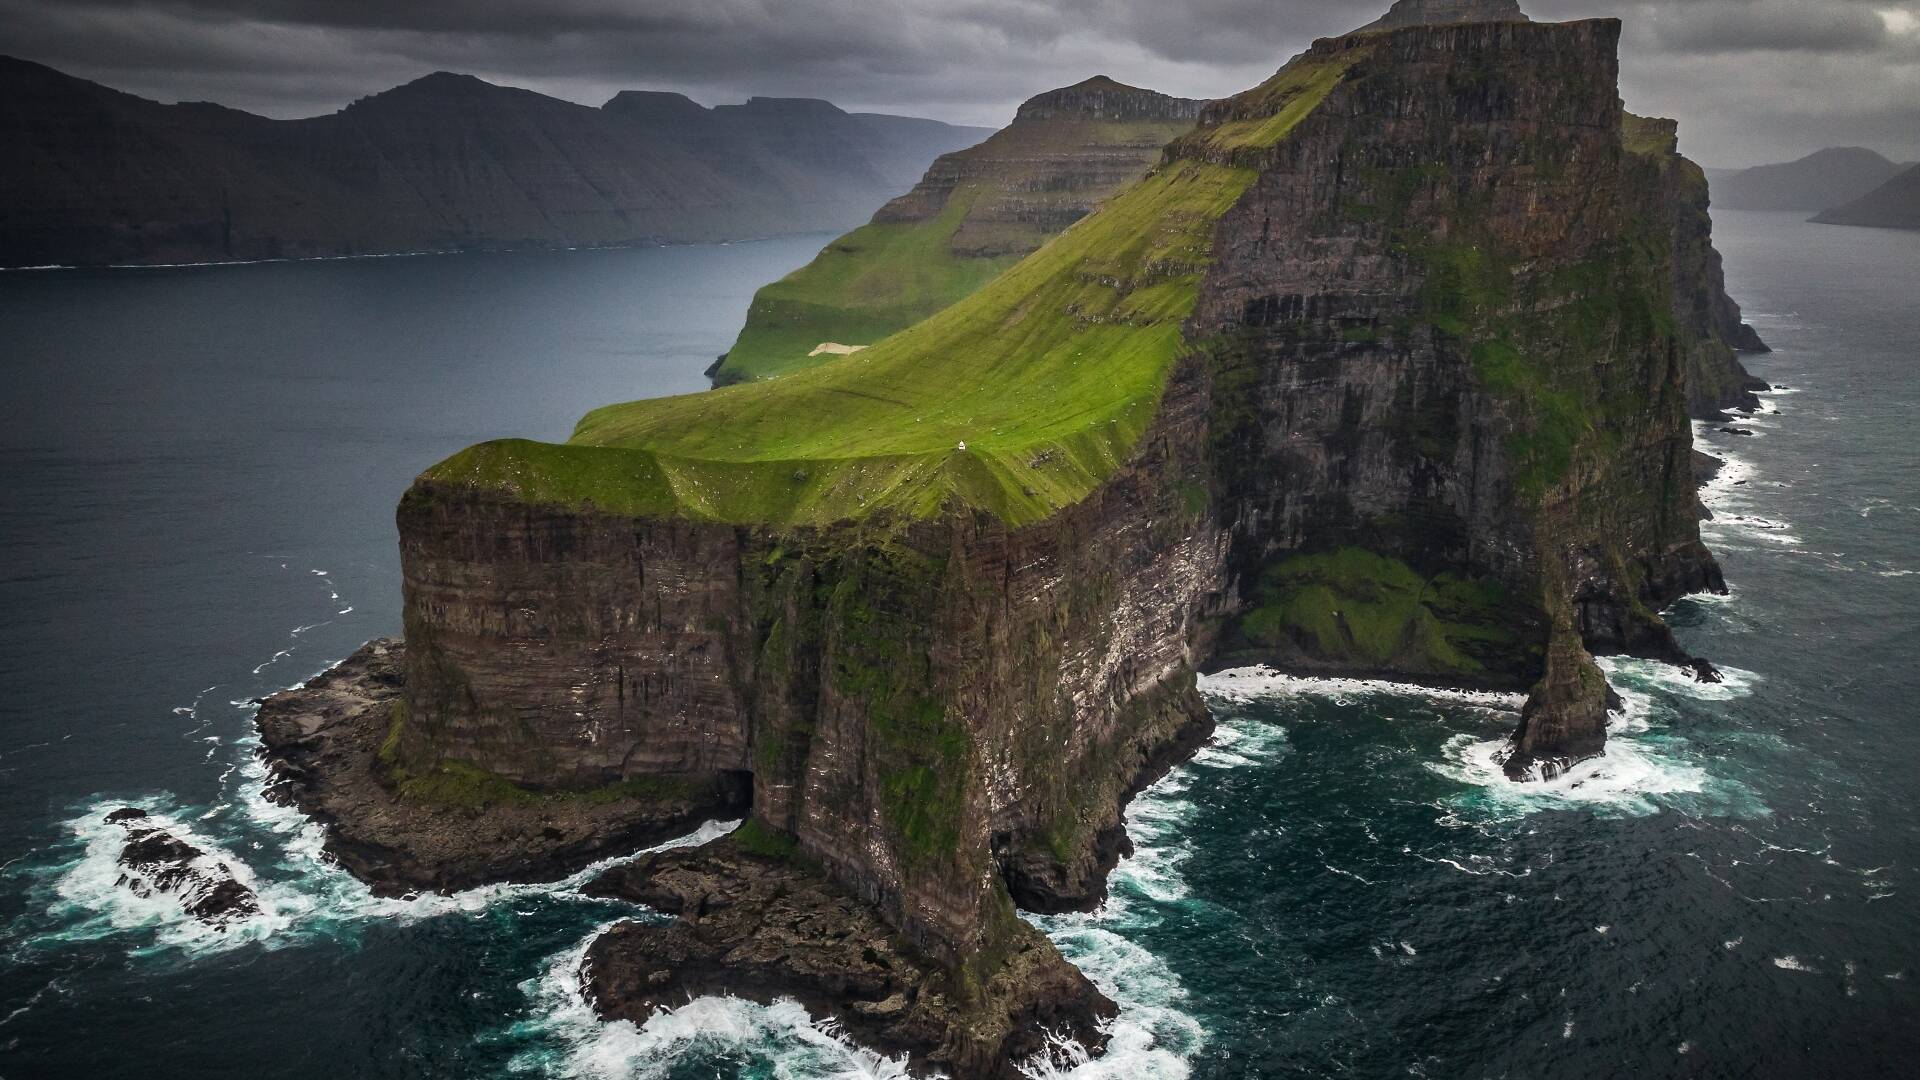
x=972, y=216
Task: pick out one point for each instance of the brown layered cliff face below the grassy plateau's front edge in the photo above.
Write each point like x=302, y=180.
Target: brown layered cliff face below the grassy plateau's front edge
x=919, y=708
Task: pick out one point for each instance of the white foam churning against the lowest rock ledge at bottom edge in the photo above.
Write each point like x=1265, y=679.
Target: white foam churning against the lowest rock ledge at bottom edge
x=577, y=1043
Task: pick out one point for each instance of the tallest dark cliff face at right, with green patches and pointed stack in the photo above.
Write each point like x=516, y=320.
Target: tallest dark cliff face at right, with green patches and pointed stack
x=1464, y=330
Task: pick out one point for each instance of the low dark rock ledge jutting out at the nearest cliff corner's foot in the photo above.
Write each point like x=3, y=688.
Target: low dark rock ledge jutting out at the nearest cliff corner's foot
x=761, y=927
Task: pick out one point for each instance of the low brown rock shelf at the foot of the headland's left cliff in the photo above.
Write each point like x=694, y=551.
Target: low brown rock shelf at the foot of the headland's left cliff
x=324, y=749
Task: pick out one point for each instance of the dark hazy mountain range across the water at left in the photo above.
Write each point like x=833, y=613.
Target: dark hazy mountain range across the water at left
x=446, y=162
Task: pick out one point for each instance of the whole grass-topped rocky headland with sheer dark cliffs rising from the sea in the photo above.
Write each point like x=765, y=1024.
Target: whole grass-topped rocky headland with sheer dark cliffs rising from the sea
x=1383, y=370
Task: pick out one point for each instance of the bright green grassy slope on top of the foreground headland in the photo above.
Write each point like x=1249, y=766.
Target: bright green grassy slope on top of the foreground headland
x=1019, y=401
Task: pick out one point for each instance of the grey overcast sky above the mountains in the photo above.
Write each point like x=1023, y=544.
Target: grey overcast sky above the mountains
x=1750, y=80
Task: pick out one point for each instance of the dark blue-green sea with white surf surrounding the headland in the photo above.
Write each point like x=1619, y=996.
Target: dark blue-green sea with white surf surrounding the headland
x=201, y=478
